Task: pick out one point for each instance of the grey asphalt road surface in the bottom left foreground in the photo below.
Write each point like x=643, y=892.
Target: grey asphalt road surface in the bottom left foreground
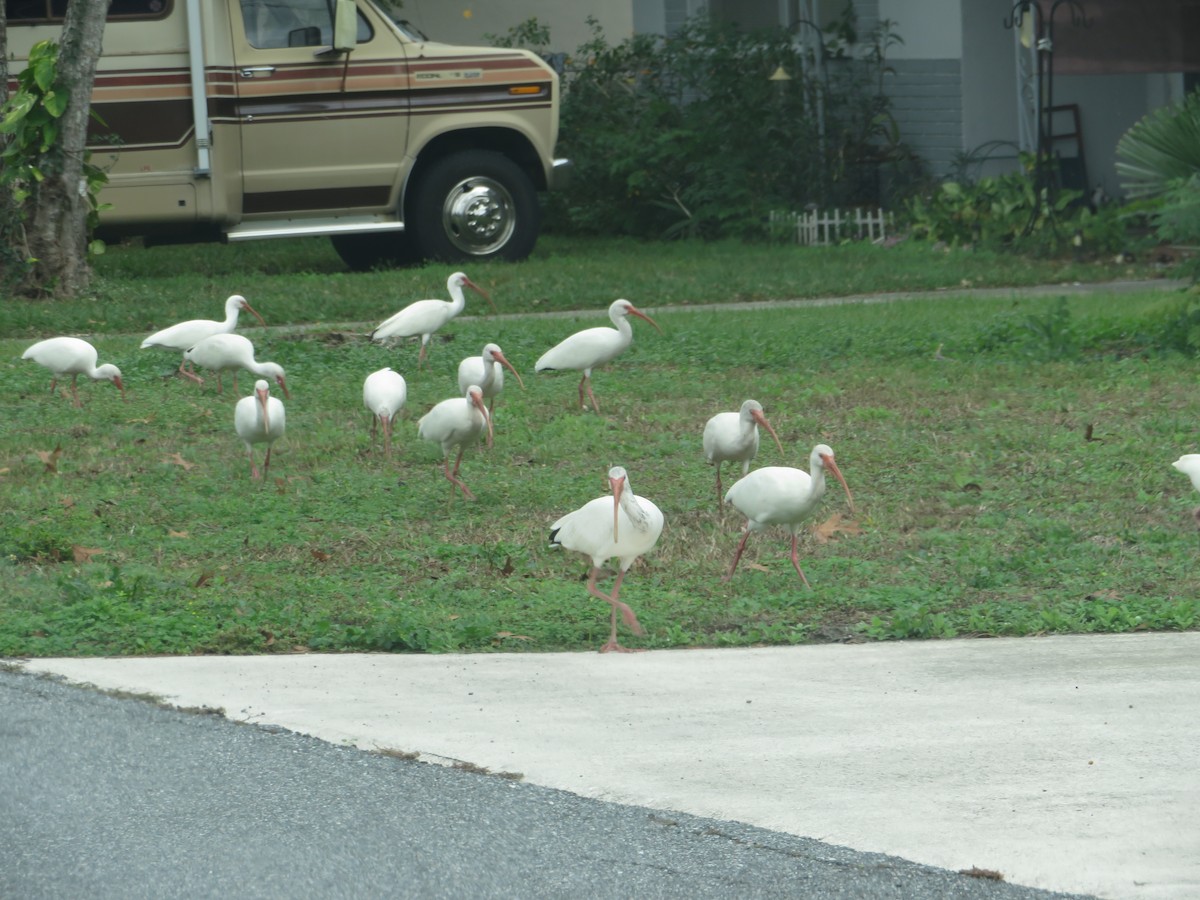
x=117, y=797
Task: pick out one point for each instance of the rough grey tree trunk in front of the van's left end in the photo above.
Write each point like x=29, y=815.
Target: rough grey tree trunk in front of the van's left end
x=58, y=223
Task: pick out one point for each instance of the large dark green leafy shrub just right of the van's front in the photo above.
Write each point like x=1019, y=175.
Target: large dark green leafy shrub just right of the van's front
x=688, y=136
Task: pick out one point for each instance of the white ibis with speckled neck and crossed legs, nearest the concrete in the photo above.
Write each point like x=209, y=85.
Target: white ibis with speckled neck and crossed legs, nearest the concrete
x=625, y=526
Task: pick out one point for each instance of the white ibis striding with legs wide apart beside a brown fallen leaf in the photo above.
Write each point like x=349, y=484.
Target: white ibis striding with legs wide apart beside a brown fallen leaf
x=779, y=495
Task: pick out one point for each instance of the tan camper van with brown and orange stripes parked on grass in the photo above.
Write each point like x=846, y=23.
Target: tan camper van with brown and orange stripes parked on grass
x=247, y=119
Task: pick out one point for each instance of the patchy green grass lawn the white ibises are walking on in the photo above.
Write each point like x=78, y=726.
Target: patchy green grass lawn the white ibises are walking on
x=1010, y=458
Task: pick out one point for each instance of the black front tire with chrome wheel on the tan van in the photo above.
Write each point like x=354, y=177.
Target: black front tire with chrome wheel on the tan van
x=475, y=205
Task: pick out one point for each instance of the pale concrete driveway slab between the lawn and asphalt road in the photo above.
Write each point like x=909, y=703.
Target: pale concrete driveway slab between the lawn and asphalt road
x=1067, y=764
